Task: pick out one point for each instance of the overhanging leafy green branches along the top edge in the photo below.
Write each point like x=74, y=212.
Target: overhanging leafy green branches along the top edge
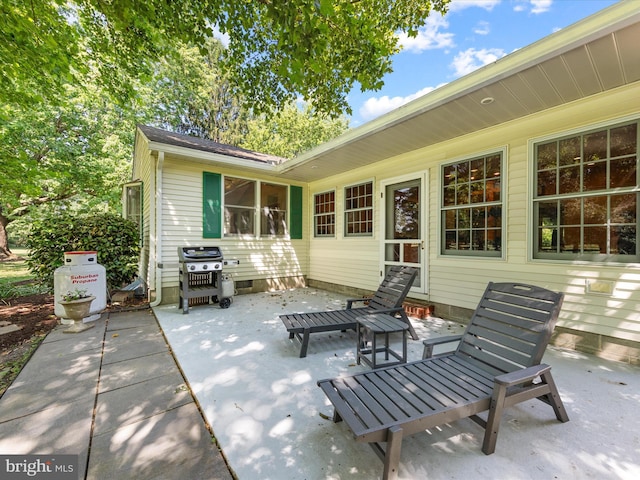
x=317, y=49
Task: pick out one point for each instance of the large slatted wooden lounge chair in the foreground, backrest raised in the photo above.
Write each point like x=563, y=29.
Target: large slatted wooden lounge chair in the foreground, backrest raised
x=494, y=367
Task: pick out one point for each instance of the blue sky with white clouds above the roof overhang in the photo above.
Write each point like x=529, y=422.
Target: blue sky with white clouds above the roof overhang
x=471, y=35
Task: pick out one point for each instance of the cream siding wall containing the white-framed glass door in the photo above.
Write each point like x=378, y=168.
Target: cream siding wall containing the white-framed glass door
x=599, y=321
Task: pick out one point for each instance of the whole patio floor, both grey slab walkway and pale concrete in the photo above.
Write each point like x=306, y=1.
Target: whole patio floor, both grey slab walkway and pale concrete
x=115, y=396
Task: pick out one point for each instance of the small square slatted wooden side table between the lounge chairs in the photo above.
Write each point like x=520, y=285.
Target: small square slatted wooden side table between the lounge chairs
x=369, y=327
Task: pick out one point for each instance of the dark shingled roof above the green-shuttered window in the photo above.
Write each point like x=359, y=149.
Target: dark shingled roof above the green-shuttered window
x=195, y=143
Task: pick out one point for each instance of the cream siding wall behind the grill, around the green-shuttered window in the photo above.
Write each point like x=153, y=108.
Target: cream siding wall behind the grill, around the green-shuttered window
x=265, y=263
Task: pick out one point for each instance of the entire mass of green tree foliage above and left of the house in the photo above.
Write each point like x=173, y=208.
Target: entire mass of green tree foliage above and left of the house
x=65, y=142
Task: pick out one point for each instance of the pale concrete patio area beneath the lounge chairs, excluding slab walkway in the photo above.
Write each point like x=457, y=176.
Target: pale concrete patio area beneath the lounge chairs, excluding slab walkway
x=273, y=422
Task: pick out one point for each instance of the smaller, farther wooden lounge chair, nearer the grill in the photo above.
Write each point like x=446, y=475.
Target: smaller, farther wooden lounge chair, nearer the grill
x=387, y=299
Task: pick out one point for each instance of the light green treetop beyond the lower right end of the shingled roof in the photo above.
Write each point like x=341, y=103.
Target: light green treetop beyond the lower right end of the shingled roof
x=291, y=131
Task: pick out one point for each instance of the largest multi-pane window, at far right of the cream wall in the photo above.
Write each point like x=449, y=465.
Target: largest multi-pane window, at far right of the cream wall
x=586, y=196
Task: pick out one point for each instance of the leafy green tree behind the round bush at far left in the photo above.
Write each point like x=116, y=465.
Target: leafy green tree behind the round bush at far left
x=78, y=152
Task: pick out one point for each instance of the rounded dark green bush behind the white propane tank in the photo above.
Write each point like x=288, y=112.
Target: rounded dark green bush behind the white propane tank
x=115, y=239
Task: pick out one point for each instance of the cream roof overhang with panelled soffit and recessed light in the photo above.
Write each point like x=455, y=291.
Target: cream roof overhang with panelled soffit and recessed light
x=595, y=55
